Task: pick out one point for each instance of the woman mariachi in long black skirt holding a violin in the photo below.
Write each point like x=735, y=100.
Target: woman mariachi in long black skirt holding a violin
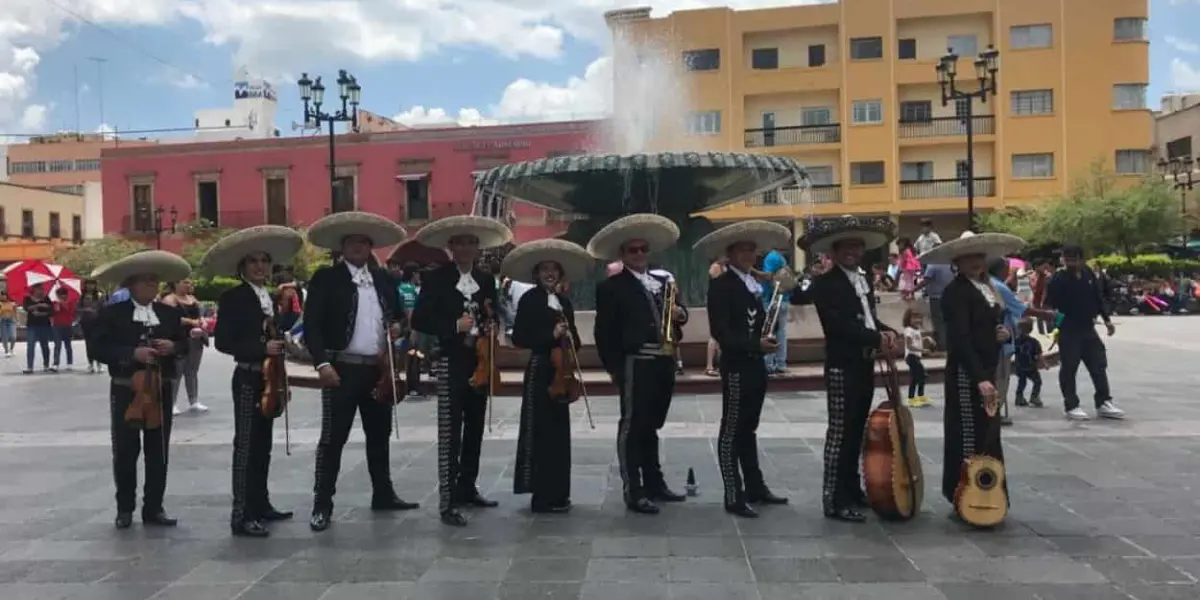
x=545, y=326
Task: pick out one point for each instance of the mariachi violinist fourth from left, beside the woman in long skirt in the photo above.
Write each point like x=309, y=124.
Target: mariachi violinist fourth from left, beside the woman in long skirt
x=459, y=305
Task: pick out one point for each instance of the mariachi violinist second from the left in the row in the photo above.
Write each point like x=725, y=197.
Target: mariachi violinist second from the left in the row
x=250, y=331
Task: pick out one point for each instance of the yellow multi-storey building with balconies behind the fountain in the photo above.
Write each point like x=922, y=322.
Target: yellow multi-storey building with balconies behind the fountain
x=851, y=92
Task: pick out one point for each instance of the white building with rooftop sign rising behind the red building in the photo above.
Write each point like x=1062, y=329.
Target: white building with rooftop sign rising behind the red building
x=253, y=116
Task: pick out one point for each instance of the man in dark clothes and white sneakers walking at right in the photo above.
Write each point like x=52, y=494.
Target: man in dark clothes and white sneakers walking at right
x=1076, y=293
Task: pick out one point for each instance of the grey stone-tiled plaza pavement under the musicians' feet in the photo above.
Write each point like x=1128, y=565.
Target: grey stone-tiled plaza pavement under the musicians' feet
x=1102, y=511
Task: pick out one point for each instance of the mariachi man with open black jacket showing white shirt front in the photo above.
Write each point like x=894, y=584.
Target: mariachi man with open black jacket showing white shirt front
x=352, y=313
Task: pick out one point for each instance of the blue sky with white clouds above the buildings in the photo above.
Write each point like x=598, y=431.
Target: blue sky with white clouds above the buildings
x=82, y=65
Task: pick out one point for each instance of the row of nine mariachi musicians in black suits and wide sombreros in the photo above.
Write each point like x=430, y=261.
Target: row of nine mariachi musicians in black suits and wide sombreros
x=353, y=315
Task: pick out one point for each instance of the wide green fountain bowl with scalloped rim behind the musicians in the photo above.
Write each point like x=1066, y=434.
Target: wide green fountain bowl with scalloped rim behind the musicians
x=615, y=185
